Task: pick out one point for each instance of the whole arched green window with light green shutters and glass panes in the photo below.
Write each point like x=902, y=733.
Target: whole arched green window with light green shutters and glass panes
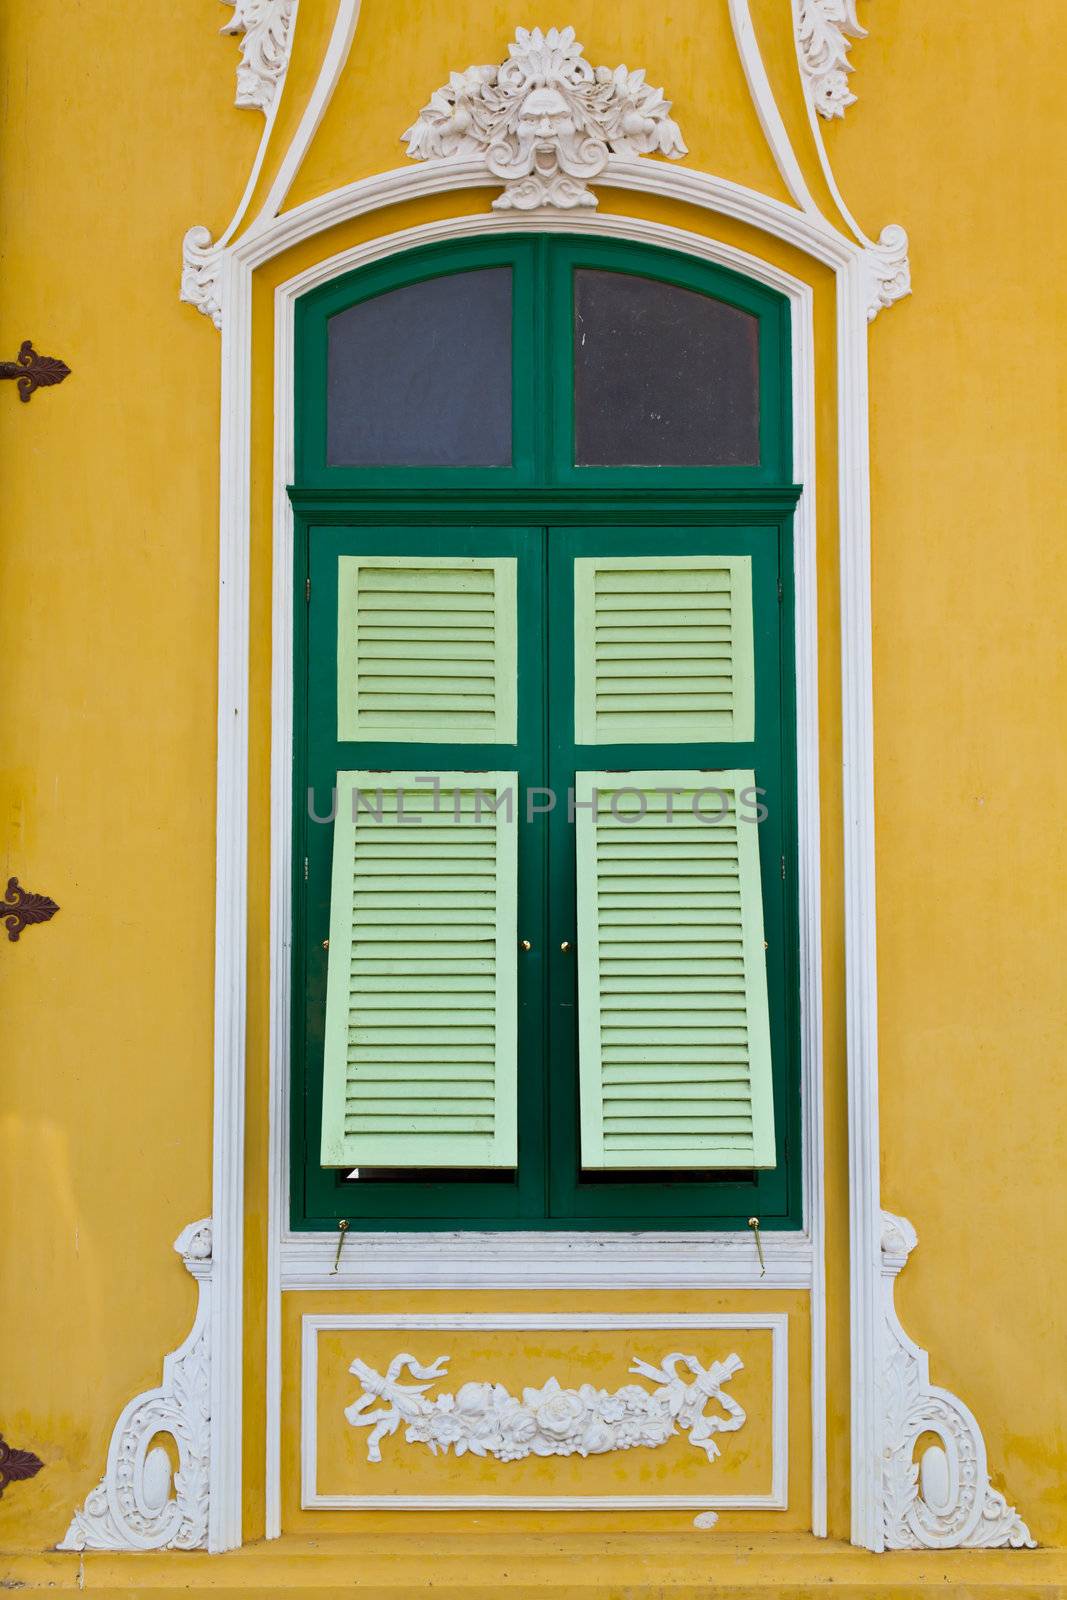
x=546, y=932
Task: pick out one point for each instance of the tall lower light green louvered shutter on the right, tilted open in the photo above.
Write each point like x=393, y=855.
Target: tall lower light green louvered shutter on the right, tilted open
x=674, y=1030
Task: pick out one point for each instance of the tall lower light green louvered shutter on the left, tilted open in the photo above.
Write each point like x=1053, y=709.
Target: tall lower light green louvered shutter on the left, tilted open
x=422, y=1025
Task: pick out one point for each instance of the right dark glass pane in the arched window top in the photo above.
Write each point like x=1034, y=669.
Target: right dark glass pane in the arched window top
x=663, y=377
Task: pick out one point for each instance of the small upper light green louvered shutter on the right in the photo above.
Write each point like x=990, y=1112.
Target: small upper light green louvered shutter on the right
x=663, y=649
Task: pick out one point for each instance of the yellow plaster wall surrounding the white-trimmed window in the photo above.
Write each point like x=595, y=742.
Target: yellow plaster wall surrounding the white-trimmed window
x=121, y=134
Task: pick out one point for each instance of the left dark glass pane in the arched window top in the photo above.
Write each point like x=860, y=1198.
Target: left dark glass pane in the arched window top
x=423, y=377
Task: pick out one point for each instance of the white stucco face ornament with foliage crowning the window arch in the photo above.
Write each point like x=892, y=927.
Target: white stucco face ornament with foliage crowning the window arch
x=546, y=122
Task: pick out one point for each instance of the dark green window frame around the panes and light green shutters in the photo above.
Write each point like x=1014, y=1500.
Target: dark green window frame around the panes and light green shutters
x=543, y=514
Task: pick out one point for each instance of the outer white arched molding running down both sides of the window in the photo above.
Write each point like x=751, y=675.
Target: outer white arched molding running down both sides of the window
x=817, y=239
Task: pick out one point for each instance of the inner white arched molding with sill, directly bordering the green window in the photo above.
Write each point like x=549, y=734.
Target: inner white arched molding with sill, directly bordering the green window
x=554, y=1260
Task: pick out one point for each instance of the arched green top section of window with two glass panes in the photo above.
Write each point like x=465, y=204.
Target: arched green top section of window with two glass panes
x=543, y=361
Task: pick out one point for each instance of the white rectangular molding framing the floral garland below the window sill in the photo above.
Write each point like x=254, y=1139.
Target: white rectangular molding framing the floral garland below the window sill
x=313, y=1326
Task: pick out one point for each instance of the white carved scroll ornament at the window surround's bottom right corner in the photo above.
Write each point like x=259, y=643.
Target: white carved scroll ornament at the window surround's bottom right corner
x=945, y=1500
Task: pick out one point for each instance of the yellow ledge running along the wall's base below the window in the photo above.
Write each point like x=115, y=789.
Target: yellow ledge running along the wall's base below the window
x=609, y=1567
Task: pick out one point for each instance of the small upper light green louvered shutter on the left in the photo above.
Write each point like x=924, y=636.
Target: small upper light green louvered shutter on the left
x=426, y=649
